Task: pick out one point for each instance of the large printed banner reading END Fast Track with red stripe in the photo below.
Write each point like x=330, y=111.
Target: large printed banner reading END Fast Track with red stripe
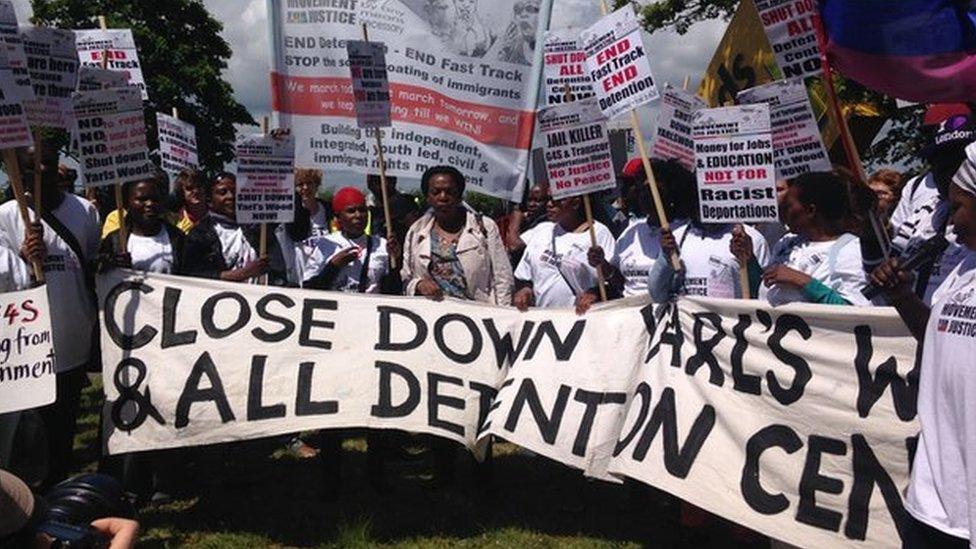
x=463, y=81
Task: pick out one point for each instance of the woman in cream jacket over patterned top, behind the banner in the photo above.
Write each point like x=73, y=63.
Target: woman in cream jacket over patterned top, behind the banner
x=453, y=252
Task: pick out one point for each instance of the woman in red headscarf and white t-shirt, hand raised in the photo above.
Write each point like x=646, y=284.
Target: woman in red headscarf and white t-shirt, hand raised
x=349, y=260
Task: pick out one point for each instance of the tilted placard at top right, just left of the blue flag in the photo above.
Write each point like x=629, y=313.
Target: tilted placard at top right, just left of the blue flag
x=791, y=28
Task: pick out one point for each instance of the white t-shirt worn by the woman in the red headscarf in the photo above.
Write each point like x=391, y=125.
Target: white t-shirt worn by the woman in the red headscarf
x=347, y=280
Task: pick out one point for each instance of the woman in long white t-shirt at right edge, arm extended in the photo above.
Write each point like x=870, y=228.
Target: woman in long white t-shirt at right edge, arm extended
x=942, y=492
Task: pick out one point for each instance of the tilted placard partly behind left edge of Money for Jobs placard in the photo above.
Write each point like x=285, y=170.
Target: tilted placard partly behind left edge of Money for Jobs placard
x=673, y=138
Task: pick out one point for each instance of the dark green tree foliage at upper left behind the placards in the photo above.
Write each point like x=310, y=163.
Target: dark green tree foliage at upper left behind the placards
x=182, y=56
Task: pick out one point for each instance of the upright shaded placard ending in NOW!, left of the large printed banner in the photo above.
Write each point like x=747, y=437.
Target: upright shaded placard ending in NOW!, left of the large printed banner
x=265, y=178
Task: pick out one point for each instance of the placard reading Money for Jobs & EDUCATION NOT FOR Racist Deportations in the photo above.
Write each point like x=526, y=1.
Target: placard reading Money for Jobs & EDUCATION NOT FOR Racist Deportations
x=734, y=161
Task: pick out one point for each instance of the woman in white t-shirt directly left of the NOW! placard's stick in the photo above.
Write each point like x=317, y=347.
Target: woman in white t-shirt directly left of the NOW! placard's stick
x=218, y=247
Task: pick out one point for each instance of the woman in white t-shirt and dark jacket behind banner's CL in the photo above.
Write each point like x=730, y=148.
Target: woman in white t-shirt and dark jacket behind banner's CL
x=153, y=244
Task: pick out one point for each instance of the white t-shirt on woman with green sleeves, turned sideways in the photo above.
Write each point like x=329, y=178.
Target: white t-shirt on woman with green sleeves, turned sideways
x=835, y=263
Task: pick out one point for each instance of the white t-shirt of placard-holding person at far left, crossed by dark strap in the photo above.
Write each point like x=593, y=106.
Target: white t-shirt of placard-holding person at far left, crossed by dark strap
x=73, y=314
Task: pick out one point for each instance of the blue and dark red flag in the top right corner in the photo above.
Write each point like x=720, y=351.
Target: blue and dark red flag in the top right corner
x=919, y=50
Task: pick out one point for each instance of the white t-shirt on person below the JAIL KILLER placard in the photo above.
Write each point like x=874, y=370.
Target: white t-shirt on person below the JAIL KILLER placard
x=555, y=262
